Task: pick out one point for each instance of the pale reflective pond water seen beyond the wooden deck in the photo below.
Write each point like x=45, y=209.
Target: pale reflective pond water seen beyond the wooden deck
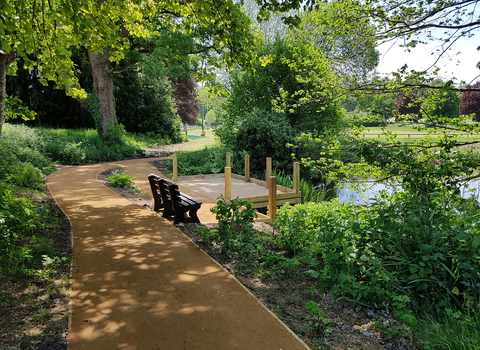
x=370, y=190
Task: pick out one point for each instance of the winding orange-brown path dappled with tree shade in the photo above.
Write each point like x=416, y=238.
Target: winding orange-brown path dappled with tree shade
x=140, y=283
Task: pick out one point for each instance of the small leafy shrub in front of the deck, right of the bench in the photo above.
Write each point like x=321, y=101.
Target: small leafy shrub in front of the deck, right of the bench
x=235, y=220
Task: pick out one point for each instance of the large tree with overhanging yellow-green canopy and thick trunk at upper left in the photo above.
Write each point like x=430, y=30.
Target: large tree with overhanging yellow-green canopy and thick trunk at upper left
x=112, y=31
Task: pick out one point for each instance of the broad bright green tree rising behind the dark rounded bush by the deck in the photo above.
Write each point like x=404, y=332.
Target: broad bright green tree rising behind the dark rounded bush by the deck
x=294, y=79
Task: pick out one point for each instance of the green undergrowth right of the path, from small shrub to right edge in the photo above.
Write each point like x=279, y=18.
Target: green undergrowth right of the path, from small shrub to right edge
x=414, y=259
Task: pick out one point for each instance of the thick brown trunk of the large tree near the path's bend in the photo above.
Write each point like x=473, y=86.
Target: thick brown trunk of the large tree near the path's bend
x=103, y=85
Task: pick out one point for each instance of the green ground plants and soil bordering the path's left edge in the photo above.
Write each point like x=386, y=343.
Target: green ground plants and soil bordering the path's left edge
x=34, y=247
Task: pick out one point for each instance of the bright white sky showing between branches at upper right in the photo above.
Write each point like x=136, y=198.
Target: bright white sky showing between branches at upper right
x=460, y=63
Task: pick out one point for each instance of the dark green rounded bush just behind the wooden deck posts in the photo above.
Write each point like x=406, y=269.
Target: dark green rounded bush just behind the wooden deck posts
x=265, y=135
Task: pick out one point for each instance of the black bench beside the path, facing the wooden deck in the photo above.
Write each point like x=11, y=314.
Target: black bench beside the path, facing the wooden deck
x=167, y=196
